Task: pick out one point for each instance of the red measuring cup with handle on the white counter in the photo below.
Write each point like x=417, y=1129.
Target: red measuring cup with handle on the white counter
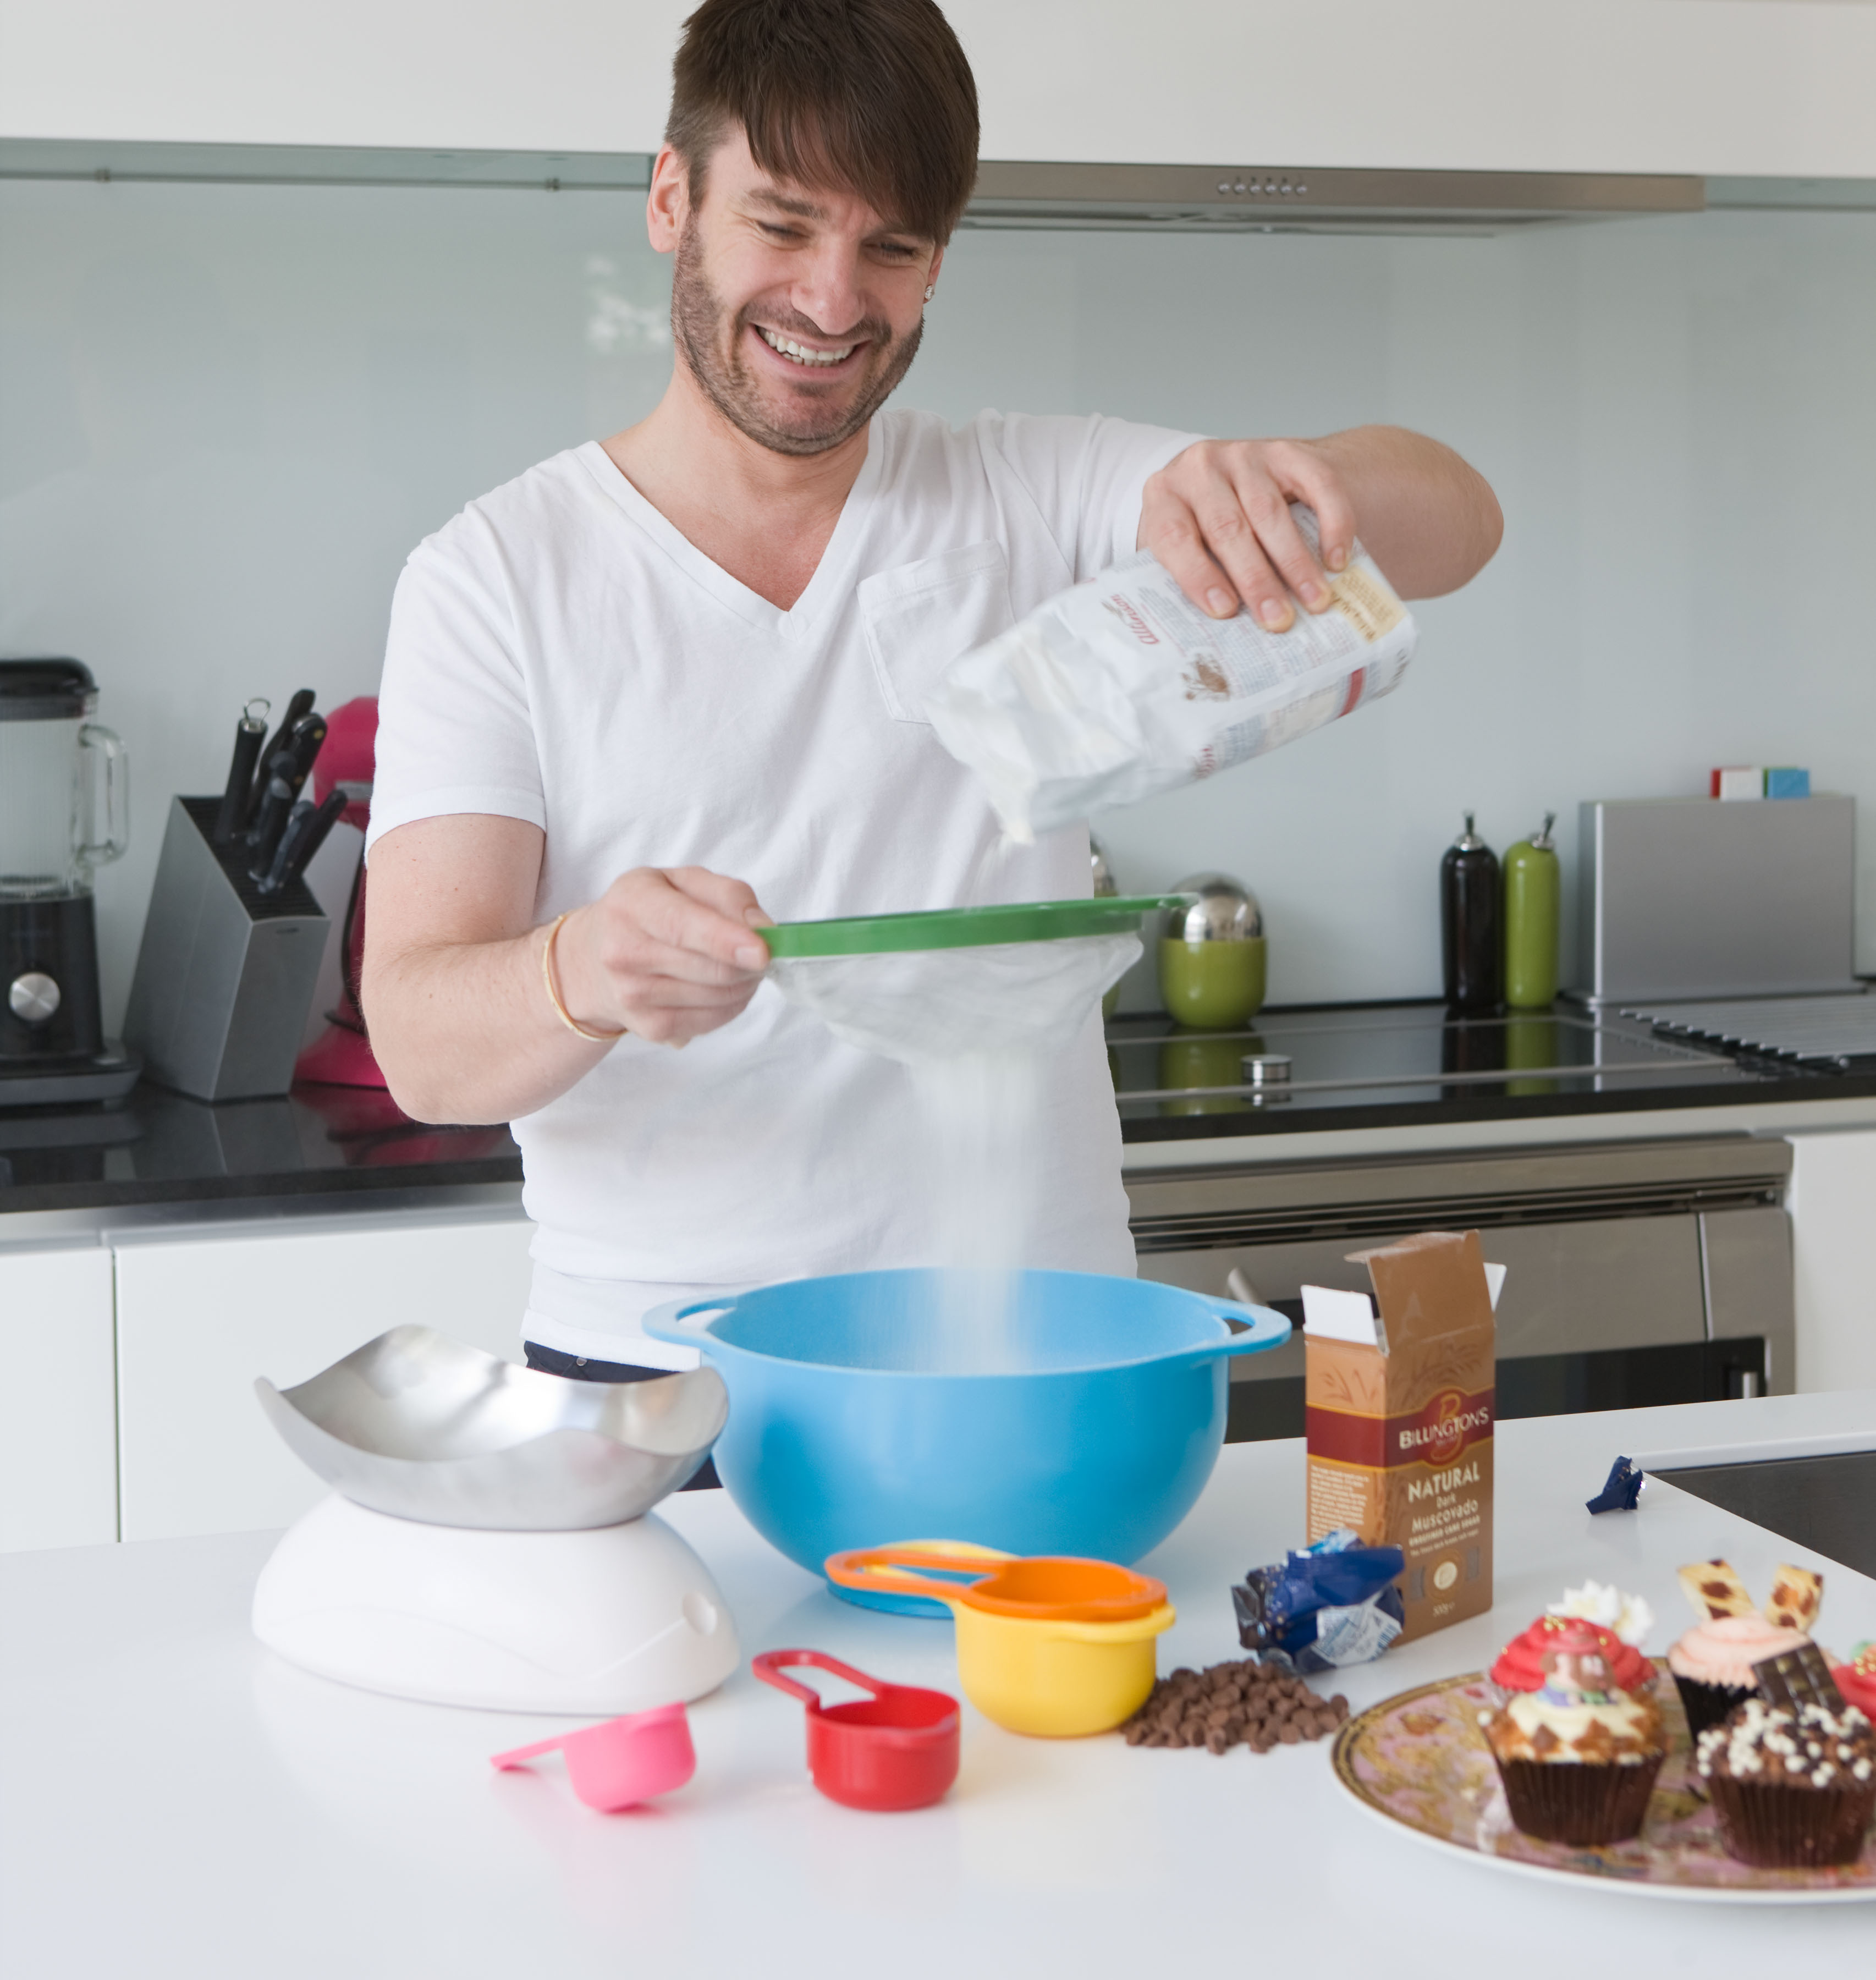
x=893, y=1749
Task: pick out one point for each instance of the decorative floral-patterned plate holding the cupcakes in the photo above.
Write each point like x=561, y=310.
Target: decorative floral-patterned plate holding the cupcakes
x=1420, y=1761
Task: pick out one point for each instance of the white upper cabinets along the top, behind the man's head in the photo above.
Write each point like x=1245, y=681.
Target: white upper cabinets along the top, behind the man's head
x=1746, y=88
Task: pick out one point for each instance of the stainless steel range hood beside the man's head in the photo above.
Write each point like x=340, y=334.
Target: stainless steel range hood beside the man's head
x=1266, y=199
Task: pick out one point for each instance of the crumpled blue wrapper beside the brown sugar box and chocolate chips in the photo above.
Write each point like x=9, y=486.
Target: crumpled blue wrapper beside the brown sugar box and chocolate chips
x=1323, y=1607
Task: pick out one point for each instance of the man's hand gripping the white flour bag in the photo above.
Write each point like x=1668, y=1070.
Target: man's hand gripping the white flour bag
x=1218, y=516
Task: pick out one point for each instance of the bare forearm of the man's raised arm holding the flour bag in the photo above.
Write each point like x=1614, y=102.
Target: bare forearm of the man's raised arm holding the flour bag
x=1426, y=516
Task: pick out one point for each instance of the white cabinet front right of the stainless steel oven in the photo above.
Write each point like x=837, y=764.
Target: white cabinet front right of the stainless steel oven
x=1833, y=1225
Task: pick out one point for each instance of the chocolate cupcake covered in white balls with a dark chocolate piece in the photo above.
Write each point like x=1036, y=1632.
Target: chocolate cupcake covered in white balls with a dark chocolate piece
x=1794, y=1787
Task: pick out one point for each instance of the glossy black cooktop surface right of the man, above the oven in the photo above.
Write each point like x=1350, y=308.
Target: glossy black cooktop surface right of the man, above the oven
x=1376, y=1064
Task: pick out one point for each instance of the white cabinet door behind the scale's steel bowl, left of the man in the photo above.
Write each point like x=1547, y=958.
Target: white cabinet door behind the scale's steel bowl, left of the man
x=205, y=1312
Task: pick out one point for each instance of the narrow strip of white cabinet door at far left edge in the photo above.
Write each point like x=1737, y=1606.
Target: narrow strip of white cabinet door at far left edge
x=58, y=1399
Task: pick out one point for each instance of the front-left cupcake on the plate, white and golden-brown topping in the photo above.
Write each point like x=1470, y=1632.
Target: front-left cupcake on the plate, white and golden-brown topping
x=1578, y=1757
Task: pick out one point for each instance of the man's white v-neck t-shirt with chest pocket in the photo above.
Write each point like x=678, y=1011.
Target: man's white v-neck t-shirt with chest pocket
x=561, y=654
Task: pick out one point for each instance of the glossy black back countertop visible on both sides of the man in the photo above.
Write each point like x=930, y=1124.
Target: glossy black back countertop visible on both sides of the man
x=1349, y=1068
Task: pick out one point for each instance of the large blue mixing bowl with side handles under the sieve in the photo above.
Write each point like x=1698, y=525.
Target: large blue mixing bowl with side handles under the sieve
x=858, y=1419
